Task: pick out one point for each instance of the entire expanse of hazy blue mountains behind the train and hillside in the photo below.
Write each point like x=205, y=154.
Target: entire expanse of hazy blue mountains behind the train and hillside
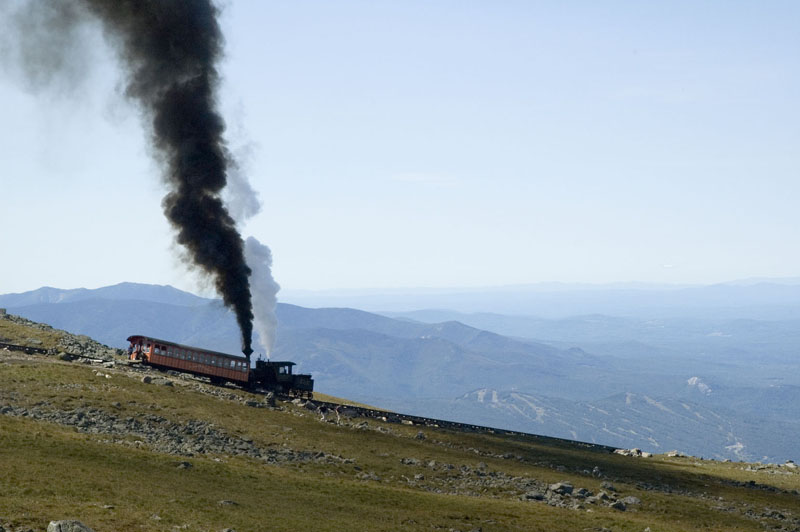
x=708, y=386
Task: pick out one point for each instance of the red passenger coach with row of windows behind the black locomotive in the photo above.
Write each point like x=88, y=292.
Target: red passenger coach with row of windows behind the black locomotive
x=169, y=355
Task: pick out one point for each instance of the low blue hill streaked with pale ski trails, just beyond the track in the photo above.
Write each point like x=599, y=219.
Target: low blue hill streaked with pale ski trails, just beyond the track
x=627, y=420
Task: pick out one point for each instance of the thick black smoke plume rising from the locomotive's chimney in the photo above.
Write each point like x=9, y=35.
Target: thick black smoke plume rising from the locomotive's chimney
x=169, y=51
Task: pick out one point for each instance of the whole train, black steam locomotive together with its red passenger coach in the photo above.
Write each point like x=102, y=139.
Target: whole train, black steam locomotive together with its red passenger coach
x=220, y=367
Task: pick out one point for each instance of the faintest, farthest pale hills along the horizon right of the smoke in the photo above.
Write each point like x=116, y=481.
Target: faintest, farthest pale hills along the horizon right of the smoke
x=772, y=299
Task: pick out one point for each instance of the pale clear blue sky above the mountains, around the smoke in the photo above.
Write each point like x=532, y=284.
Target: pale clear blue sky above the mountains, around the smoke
x=461, y=143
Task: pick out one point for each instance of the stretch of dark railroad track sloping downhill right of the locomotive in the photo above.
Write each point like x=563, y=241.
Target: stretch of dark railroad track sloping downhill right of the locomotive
x=329, y=408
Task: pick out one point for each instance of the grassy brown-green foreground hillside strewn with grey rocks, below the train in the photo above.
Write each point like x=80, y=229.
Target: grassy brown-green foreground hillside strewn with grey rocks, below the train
x=94, y=442
